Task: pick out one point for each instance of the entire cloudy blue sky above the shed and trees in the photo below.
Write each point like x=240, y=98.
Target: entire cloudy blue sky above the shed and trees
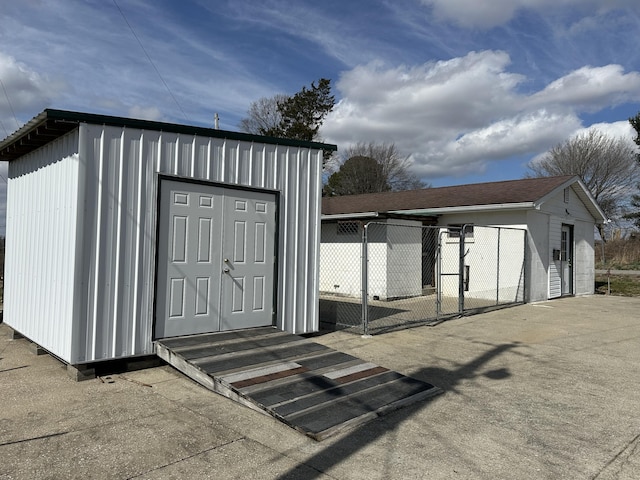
x=470, y=90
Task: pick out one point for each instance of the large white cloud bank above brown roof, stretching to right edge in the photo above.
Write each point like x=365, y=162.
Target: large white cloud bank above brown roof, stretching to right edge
x=458, y=116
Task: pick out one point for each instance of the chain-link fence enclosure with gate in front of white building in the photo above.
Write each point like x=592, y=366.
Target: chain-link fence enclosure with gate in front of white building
x=380, y=276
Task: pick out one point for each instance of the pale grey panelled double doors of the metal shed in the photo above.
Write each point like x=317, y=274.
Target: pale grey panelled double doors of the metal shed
x=216, y=259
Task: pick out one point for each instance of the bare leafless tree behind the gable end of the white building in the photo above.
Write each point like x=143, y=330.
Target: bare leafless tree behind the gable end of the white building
x=606, y=165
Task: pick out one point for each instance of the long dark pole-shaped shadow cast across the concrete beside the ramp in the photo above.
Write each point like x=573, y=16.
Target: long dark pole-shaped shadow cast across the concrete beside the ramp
x=360, y=437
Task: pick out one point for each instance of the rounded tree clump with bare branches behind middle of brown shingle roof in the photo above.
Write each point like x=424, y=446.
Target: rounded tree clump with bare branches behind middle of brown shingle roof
x=372, y=168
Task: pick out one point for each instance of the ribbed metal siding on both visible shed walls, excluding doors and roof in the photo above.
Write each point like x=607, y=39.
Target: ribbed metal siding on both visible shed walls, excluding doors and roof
x=92, y=194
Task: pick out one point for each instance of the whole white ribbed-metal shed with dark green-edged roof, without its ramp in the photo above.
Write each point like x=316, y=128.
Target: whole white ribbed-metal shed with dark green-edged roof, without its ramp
x=121, y=231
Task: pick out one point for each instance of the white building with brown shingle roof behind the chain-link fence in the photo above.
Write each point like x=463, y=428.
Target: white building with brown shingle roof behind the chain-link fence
x=558, y=215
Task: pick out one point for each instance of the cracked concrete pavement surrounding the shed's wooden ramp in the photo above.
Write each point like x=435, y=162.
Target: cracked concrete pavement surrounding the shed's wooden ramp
x=542, y=391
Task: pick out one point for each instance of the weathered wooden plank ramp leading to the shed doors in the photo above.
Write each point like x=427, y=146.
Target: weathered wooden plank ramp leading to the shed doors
x=312, y=388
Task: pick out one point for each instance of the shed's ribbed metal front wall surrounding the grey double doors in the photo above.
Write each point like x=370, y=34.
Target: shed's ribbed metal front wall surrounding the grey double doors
x=120, y=226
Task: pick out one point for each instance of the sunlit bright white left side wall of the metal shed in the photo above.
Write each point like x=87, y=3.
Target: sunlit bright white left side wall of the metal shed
x=40, y=268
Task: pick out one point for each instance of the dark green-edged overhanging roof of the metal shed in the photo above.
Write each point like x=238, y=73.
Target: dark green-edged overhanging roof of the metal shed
x=52, y=124
